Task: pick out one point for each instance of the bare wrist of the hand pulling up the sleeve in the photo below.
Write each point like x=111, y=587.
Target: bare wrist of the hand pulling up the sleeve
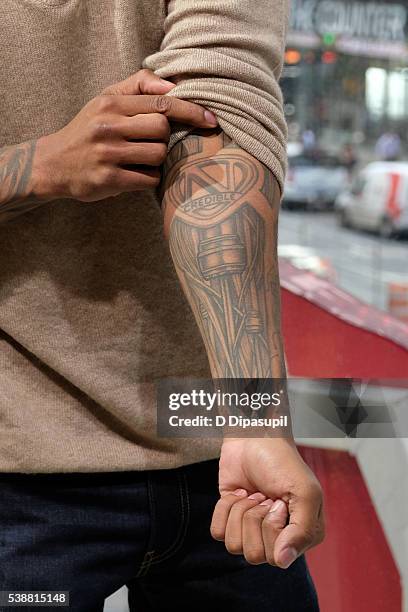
x=47, y=178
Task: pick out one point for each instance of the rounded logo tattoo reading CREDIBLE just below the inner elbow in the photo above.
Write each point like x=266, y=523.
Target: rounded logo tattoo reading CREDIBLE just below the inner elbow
x=206, y=189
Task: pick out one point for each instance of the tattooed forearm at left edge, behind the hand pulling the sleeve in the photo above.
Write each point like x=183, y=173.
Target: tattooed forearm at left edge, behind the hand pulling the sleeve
x=16, y=194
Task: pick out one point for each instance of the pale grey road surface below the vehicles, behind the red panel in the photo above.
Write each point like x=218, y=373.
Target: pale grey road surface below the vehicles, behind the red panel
x=364, y=263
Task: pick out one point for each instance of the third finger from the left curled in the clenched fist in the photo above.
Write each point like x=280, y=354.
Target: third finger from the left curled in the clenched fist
x=252, y=541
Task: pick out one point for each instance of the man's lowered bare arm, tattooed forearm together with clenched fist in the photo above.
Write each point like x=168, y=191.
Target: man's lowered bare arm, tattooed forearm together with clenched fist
x=220, y=216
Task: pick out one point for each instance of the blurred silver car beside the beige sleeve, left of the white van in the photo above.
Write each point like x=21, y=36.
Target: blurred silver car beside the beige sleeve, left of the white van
x=314, y=181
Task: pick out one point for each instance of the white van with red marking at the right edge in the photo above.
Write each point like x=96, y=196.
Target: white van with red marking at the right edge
x=377, y=199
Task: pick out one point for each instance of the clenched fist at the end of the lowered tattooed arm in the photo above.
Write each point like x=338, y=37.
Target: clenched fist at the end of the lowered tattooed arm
x=270, y=509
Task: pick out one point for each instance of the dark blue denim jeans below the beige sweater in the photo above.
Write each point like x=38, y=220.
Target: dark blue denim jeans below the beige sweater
x=92, y=533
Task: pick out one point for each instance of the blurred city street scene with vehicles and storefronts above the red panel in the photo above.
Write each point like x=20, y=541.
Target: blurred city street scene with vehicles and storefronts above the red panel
x=345, y=86
